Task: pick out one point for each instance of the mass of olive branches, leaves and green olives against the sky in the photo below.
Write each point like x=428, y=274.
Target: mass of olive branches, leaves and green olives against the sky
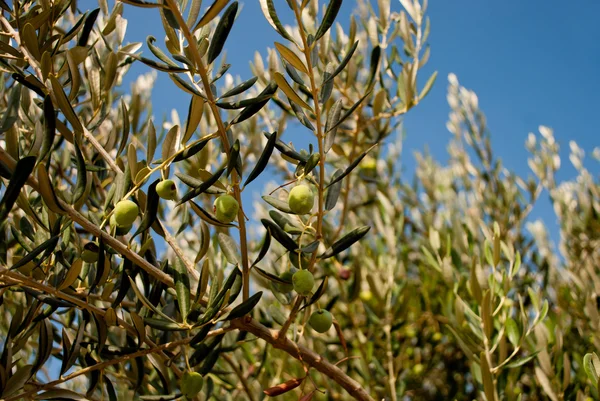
x=440, y=287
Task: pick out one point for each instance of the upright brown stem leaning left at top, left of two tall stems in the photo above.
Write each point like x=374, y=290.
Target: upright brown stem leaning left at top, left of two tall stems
x=210, y=99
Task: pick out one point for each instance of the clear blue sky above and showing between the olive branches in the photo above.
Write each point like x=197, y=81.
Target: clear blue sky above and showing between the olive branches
x=532, y=62
